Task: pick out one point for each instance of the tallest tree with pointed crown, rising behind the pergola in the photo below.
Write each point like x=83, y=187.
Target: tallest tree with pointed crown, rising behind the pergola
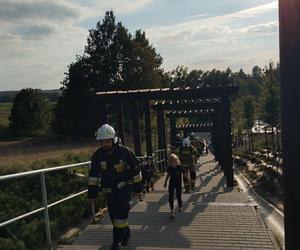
x=108, y=51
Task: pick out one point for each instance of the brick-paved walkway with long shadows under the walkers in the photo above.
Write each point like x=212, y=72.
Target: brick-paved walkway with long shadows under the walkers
x=213, y=217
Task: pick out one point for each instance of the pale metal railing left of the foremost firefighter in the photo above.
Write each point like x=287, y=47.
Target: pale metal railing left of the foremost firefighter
x=46, y=206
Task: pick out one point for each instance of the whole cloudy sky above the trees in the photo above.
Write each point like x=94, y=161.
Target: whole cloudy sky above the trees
x=40, y=38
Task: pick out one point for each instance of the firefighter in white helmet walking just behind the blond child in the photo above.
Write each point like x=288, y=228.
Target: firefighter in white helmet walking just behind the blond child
x=188, y=155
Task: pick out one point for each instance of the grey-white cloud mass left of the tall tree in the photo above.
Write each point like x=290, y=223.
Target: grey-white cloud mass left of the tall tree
x=40, y=38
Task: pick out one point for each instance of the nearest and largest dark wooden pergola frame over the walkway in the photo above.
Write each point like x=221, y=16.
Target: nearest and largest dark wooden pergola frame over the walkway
x=200, y=98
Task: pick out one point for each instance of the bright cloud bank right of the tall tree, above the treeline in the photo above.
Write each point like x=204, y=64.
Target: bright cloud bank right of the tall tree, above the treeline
x=219, y=41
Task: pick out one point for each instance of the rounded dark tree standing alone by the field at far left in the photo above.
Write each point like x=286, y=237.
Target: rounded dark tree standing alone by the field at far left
x=29, y=112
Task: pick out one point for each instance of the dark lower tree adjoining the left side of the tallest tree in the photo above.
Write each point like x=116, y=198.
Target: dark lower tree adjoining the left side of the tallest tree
x=74, y=109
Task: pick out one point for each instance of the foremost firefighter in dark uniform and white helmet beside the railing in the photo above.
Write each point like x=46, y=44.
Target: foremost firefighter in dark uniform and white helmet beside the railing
x=116, y=168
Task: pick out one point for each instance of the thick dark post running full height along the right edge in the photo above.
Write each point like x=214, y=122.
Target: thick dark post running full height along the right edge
x=289, y=23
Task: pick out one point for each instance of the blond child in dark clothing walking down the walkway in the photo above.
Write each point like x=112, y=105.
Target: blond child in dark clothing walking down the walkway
x=175, y=173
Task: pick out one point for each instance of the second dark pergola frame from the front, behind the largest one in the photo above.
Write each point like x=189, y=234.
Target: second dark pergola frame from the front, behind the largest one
x=214, y=111
